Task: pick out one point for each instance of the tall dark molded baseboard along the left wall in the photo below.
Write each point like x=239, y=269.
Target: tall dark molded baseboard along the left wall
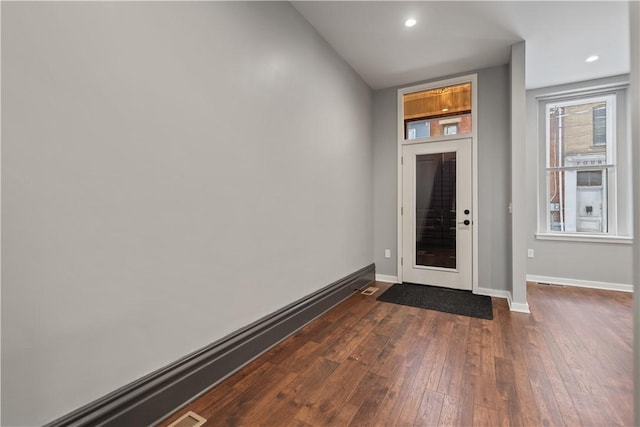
x=153, y=397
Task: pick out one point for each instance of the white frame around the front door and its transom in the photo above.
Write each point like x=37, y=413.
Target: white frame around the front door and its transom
x=470, y=78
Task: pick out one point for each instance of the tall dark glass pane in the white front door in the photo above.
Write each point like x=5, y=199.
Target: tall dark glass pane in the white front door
x=436, y=210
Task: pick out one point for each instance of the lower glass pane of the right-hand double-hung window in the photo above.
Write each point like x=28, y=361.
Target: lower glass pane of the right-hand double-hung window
x=577, y=201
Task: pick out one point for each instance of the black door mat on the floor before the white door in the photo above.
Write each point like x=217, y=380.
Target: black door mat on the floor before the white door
x=440, y=299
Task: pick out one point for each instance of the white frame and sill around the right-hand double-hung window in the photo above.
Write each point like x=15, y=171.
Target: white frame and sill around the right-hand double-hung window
x=617, y=151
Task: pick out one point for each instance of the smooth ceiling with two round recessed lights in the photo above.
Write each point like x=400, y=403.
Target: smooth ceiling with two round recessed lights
x=451, y=37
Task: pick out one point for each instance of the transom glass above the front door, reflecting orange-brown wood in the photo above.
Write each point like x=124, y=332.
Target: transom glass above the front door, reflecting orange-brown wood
x=437, y=112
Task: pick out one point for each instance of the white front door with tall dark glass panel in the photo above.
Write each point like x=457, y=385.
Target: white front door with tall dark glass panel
x=436, y=214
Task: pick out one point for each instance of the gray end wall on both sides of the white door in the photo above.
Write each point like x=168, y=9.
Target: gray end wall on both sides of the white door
x=493, y=177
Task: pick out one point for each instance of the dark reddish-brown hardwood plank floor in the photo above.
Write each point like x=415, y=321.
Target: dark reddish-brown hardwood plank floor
x=369, y=363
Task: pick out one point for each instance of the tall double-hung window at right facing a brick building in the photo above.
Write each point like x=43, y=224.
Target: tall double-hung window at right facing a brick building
x=581, y=166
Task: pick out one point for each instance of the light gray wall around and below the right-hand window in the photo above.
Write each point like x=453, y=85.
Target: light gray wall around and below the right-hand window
x=599, y=262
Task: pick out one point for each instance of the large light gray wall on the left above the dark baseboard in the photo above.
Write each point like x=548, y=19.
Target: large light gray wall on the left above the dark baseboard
x=171, y=172
